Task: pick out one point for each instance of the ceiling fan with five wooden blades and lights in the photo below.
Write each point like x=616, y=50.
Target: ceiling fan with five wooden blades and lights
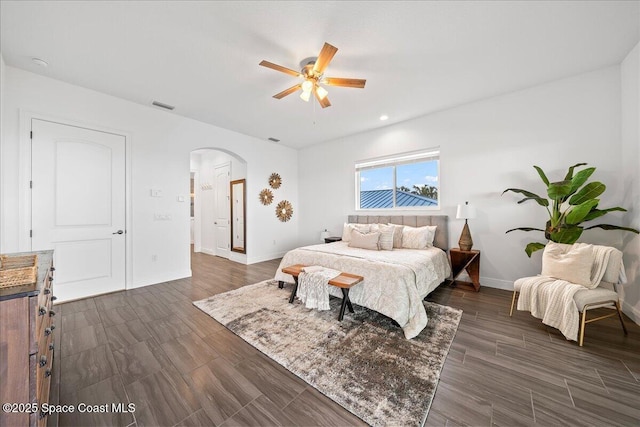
x=312, y=73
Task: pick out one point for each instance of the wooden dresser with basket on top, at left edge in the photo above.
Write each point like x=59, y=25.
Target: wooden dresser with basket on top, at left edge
x=26, y=347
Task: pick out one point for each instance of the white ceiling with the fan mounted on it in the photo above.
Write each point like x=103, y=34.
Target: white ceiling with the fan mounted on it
x=417, y=57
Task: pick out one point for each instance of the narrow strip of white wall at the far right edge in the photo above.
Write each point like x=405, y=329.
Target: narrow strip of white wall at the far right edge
x=630, y=162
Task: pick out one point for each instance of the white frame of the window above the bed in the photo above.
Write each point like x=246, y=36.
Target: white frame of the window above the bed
x=393, y=161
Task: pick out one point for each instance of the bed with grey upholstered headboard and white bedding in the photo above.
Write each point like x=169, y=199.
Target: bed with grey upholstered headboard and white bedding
x=395, y=281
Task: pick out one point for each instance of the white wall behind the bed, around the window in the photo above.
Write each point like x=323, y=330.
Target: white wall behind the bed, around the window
x=486, y=147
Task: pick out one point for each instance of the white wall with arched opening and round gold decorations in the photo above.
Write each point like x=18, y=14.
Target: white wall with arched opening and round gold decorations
x=160, y=146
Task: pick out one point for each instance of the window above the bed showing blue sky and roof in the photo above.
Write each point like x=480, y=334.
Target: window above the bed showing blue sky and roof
x=405, y=181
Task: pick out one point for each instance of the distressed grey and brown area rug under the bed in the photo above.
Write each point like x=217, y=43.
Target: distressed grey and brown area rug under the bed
x=363, y=363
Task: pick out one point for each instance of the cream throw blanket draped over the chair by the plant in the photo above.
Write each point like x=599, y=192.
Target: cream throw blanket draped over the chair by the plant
x=552, y=300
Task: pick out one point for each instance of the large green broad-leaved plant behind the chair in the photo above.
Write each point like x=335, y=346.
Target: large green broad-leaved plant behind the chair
x=569, y=203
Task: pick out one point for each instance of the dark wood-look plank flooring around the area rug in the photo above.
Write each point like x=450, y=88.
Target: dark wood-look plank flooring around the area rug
x=151, y=347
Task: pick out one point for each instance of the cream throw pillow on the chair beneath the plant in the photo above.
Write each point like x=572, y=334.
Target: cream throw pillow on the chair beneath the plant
x=567, y=262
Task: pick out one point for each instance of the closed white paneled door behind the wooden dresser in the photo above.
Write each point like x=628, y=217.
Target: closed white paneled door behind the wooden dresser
x=78, y=206
